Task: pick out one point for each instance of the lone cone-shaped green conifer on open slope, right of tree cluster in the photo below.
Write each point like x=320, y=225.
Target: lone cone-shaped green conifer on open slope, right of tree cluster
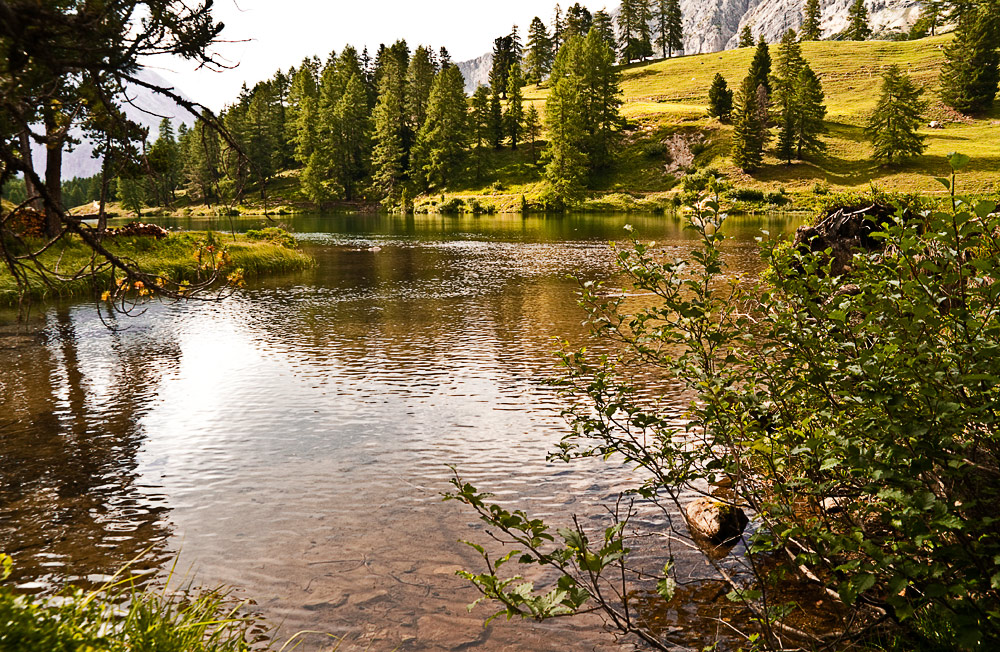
x=893, y=126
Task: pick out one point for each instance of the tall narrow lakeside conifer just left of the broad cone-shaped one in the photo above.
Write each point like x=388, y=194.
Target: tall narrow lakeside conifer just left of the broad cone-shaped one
x=388, y=155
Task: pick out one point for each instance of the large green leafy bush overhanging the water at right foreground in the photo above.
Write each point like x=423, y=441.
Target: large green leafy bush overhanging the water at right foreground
x=857, y=418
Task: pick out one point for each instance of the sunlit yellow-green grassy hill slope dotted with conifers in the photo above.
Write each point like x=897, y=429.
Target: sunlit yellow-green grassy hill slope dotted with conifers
x=667, y=96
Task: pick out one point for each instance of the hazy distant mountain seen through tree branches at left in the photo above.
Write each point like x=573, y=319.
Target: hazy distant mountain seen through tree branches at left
x=145, y=107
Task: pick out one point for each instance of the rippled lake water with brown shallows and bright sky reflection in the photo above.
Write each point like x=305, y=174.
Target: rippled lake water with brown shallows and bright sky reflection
x=293, y=441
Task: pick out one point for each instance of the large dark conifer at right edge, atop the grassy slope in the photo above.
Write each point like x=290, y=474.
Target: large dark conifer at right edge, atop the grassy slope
x=970, y=75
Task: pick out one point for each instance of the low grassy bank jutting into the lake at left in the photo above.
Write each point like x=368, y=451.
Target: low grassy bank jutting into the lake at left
x=178, y=257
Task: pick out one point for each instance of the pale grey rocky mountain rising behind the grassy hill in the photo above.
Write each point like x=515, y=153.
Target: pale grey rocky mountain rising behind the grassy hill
x=713, y=25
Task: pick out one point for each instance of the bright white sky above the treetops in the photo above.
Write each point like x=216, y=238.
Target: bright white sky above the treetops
x=265, y=35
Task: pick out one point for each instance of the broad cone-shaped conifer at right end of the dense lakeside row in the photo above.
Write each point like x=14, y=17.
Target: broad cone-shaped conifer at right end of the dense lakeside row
x=440, y=146
